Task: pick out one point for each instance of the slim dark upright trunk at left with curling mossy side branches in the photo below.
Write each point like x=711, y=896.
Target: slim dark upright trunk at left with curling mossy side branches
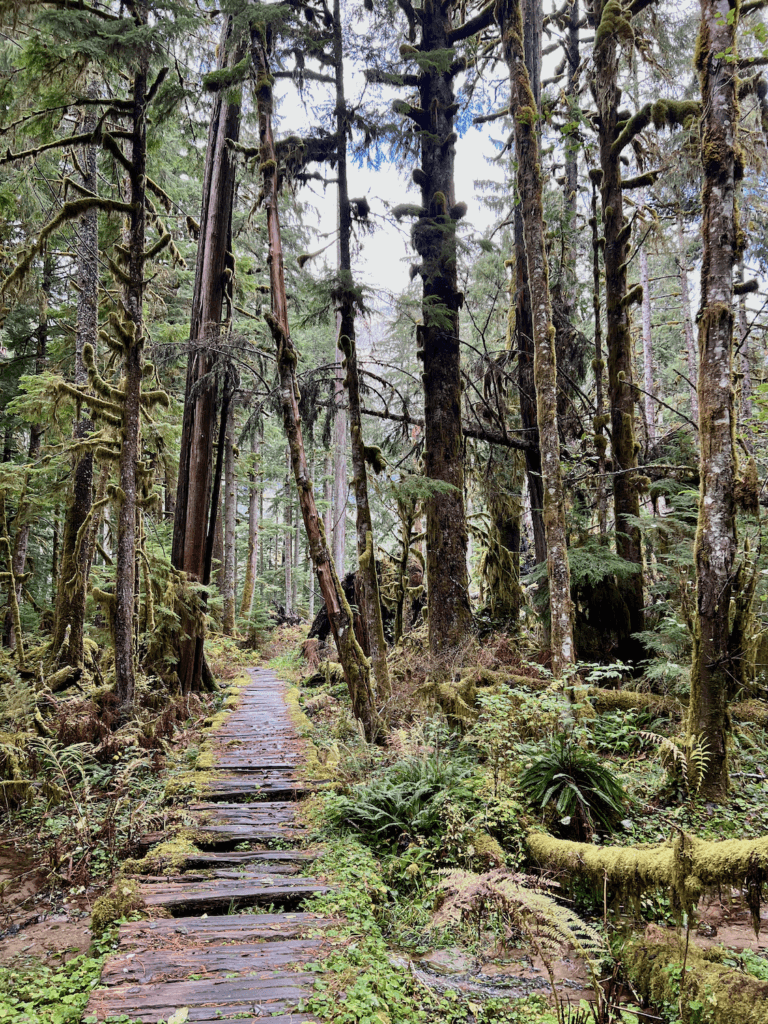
x=134, y=346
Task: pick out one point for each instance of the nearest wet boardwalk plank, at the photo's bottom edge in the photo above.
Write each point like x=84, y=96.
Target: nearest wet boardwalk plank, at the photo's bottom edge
x=221, y=999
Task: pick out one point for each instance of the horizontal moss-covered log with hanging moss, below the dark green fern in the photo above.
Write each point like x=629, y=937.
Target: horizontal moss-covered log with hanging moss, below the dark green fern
x=686, y=868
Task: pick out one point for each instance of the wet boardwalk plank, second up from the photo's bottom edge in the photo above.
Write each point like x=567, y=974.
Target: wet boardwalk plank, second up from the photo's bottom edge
x=144, y=966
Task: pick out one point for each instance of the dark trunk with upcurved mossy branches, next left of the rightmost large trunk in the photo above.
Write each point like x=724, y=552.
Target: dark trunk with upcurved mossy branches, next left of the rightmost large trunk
x=621, y=392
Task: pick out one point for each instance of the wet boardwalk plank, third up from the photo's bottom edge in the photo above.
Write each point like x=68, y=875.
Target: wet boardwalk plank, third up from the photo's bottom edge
x=181, y=933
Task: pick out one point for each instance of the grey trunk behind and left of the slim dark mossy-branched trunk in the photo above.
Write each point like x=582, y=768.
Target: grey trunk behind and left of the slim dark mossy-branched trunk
x=74, y=582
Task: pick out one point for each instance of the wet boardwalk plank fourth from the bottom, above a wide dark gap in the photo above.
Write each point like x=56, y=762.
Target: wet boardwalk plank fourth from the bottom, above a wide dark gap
x=179, y=897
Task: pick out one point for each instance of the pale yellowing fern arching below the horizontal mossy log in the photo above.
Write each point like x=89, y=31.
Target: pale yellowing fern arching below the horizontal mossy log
x=529, y=911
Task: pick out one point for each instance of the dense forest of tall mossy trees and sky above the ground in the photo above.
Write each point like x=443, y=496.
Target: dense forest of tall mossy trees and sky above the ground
x=228, y=402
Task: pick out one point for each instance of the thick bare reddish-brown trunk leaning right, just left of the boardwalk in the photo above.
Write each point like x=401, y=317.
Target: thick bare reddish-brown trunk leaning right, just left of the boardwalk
x=212, y=278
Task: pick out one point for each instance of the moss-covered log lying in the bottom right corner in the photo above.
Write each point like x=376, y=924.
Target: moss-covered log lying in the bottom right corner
x=655, y=963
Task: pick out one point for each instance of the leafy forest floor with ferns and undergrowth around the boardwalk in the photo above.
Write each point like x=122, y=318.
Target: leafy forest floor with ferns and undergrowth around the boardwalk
x=395, y=835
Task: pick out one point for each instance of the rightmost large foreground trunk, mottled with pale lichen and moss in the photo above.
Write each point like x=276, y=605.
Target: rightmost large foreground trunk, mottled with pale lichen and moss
x=715, y=549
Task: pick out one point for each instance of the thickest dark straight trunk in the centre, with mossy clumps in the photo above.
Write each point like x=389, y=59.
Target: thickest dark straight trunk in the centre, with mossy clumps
x=434, y=237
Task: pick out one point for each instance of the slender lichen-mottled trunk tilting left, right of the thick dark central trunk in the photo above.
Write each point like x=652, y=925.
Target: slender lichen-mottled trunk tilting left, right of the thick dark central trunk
x=525, y=114
